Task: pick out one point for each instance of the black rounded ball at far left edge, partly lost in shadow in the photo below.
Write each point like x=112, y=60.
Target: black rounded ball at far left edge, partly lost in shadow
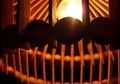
x=10, y=37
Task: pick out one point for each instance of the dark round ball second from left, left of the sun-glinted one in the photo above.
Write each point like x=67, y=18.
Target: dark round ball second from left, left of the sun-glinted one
x=37, y=33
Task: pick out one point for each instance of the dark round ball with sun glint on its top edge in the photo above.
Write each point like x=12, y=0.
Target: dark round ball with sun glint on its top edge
x=68, y=30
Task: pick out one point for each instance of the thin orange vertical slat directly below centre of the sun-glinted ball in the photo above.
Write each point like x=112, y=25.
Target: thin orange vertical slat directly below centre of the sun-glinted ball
x=72, y=63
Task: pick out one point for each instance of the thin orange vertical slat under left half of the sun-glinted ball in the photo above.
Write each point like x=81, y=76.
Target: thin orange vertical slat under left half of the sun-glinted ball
x=62, y=63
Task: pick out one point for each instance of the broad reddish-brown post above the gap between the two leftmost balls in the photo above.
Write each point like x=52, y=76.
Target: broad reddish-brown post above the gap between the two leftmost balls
x=23, y=14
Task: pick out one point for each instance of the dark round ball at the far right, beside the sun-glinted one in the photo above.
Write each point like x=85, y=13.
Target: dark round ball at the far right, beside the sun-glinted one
x=103, y=30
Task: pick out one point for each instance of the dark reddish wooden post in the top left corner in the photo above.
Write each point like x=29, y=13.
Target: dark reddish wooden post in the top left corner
x=6, y=13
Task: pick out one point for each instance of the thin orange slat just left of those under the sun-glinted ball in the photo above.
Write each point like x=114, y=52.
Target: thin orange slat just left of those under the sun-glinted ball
x=53, y=65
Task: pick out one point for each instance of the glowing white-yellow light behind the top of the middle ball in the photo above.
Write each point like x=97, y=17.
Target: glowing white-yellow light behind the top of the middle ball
x=70, y=8
